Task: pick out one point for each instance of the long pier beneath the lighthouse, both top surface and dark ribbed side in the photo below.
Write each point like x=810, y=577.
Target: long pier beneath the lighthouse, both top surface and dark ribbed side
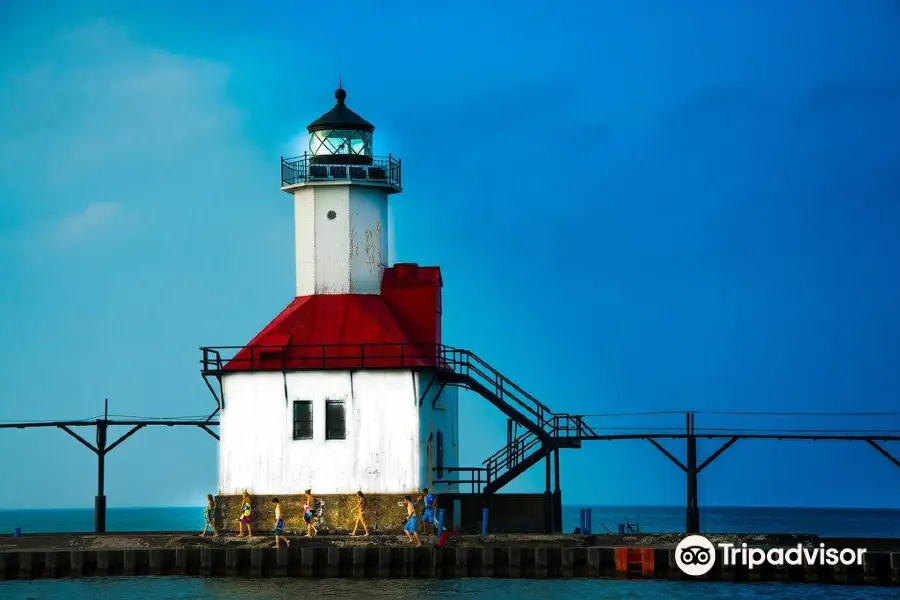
x=75, y=556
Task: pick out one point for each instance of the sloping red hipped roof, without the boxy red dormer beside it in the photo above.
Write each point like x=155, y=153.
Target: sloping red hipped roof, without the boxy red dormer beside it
x=332, y=332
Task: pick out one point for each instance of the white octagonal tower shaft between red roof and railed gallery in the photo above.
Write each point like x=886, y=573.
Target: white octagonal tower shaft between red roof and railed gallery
x=344, y=255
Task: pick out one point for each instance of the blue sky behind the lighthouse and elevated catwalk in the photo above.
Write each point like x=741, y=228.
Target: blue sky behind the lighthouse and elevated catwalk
x=636, y=205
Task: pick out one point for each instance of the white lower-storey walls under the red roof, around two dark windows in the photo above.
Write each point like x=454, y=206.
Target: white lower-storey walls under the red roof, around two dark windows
x=383, y=453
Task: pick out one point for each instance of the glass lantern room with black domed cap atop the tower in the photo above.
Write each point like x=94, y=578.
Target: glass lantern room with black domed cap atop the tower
x=340, y=136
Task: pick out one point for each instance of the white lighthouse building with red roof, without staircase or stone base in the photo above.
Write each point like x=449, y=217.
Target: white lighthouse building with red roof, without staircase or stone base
x=339, y=392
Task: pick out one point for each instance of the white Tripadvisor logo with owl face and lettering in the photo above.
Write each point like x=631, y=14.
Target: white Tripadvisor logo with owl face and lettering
x=695, y=556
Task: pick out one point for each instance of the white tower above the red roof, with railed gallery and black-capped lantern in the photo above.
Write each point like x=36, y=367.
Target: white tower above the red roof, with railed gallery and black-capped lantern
x=340, y=195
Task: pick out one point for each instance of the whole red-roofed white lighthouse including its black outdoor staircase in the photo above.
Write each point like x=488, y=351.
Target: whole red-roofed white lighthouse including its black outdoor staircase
x=350, y=388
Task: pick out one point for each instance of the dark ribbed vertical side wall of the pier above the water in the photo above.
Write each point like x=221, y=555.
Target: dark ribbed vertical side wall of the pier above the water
x=372, y=562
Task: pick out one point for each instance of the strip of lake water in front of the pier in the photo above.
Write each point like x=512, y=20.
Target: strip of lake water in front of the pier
x=165, y=588
